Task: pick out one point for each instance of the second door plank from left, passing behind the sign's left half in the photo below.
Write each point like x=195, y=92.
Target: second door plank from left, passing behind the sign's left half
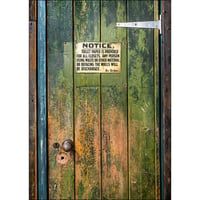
x=86, y=110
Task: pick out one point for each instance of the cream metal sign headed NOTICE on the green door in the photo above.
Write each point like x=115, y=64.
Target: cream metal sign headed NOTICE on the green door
x=98, y=57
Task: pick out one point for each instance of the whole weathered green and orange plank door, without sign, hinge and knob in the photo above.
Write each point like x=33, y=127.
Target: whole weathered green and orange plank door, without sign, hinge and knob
x=112, y=118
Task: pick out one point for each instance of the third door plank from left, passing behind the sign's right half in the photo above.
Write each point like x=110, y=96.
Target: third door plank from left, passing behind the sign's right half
x=114, y=107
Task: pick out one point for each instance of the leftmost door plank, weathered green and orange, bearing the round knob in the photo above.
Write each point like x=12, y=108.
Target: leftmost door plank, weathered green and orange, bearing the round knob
x=60, y=98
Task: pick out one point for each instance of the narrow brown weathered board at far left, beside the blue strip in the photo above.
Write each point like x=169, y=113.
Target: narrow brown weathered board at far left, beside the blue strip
x=32, y=113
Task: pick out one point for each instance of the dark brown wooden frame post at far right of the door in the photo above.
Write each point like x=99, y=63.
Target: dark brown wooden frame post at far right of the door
x=166, y=77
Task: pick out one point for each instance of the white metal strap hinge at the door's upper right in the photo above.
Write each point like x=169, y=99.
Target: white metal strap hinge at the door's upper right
x=145, y=24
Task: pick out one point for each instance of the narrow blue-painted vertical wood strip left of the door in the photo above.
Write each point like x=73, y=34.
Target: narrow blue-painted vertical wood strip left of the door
x=42, y=101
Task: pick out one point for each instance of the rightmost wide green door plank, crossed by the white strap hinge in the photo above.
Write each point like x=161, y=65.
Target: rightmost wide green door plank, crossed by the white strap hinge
x=141, y=104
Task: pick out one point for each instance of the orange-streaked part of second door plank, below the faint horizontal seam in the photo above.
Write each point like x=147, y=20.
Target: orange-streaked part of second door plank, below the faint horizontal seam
x=87, y=146
